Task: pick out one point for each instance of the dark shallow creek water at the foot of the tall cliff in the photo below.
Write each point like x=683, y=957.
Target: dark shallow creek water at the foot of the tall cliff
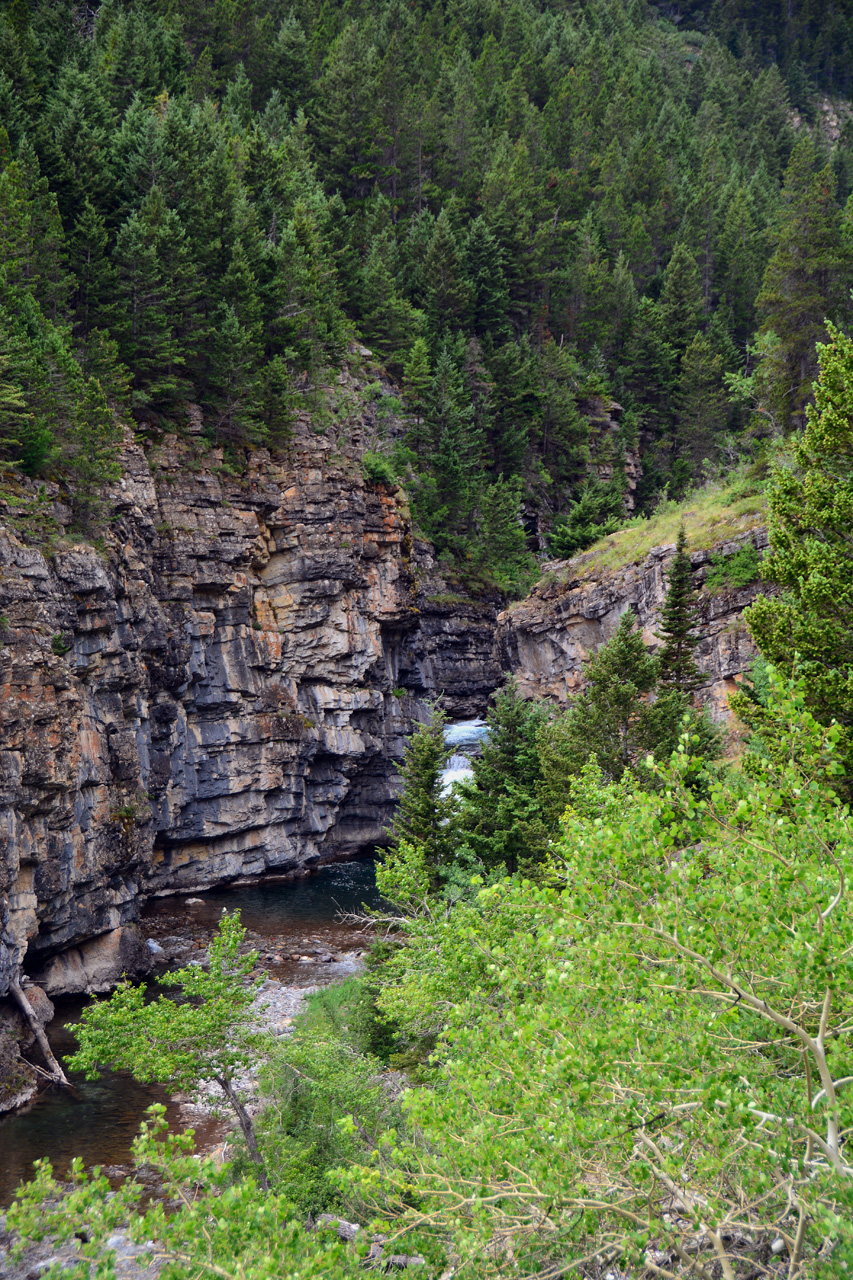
x=101, y=1121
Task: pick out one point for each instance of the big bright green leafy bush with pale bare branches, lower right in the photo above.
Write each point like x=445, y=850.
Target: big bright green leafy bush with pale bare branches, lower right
x=651, y=1068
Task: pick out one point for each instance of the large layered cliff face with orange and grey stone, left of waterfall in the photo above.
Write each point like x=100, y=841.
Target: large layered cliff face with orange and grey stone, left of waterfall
x=221, y=687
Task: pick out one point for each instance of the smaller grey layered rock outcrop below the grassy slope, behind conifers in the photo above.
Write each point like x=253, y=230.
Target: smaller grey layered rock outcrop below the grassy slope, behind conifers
x=548, y=638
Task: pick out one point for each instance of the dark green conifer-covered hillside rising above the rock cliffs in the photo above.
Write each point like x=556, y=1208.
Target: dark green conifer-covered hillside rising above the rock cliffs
x=571, y=231
